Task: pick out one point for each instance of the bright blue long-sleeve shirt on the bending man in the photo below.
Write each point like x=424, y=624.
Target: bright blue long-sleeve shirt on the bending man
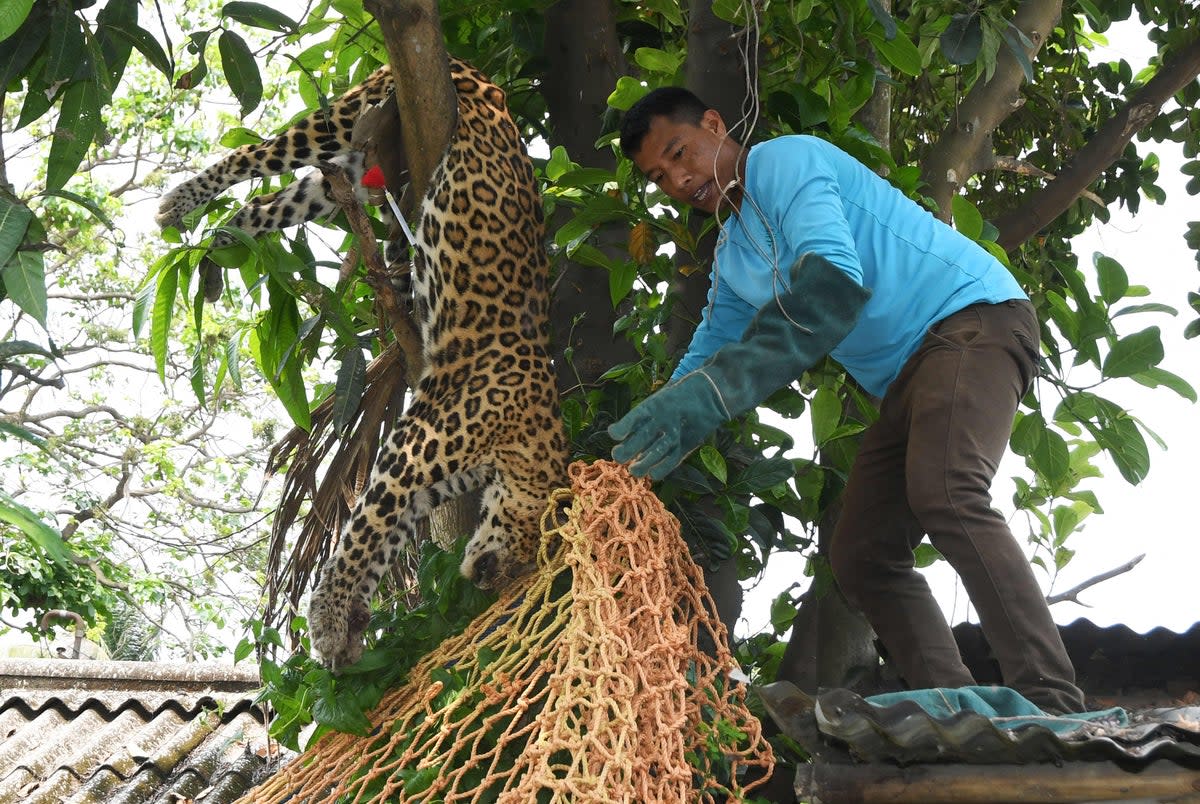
x=805, y=195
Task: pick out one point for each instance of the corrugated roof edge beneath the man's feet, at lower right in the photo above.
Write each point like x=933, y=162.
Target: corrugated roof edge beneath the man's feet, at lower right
x=866, y=753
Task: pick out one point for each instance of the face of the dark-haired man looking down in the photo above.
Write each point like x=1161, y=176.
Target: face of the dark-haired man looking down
x=694, y=165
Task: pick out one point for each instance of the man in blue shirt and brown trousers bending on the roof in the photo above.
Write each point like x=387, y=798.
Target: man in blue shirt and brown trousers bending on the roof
x=819, y=256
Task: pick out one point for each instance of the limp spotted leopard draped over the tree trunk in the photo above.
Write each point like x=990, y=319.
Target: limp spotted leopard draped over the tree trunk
x=484, y=415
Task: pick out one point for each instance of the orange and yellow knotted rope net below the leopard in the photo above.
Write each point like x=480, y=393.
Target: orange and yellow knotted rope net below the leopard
x=584, y=683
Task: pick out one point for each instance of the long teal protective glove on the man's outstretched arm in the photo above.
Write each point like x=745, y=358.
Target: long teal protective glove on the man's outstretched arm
x=783, y=341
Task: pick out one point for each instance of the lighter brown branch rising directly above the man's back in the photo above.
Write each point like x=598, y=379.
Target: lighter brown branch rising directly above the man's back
x=965, y=146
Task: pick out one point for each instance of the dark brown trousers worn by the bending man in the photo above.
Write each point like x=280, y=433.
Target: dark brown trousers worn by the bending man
x=926, y=467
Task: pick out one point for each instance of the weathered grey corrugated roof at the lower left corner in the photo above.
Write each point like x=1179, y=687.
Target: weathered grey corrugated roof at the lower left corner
x=130, y=733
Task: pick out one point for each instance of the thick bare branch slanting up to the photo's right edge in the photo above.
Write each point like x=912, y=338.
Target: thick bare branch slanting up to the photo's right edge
x=1045, y=206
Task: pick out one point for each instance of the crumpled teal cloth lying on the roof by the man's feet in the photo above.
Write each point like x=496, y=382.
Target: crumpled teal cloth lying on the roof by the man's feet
x=1004, y=706
